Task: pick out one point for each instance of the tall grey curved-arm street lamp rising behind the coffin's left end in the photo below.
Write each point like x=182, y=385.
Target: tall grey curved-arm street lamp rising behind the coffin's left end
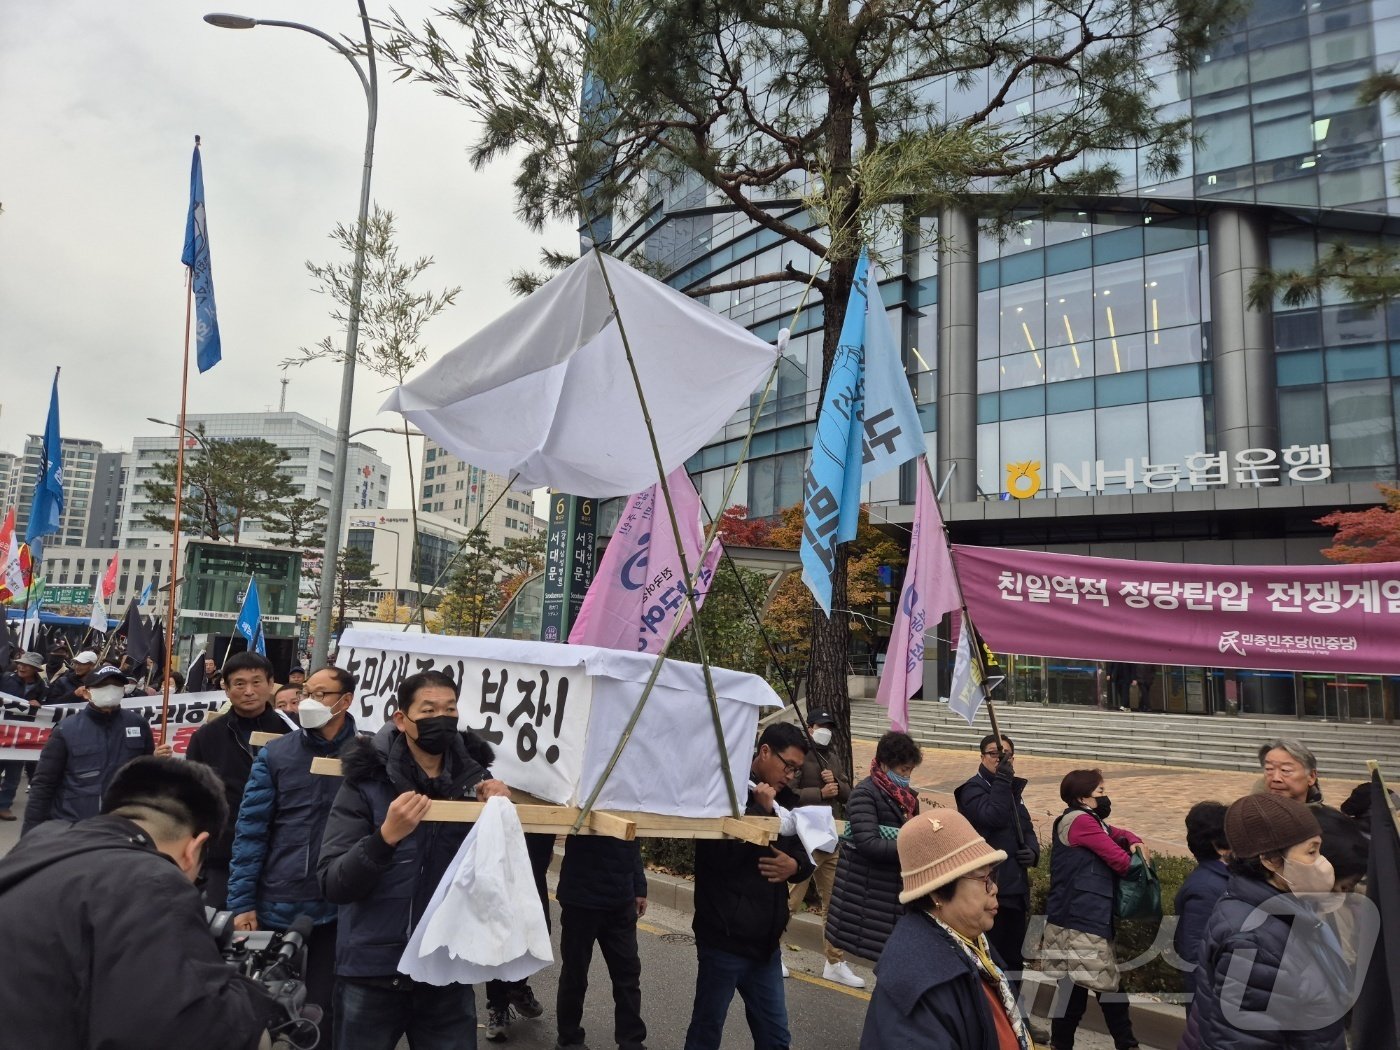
x=335, y=517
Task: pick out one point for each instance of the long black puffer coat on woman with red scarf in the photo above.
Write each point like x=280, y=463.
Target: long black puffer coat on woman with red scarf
x=864, y=905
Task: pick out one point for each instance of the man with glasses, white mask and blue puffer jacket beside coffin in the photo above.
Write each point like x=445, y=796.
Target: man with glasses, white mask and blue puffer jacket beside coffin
x=272, y=880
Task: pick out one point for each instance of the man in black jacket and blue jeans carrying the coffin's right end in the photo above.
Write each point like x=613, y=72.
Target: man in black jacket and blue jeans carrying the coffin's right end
x=741, y=908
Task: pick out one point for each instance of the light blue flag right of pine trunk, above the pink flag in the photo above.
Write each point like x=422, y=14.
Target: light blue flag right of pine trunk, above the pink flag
x=892, y=430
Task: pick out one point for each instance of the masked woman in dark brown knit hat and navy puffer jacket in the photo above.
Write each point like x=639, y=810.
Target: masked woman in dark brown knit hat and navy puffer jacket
x=1270, y=969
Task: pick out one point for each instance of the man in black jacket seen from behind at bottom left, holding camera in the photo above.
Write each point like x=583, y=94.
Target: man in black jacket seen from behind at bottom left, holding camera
x=110, y=927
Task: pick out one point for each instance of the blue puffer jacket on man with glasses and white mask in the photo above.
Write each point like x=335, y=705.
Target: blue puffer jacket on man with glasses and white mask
x=279, y=832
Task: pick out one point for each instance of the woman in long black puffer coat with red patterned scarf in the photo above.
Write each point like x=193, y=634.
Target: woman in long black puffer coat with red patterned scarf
x=864, y=904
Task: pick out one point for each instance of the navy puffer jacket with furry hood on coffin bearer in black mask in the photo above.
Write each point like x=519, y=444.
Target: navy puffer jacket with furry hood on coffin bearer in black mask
x=384, y=890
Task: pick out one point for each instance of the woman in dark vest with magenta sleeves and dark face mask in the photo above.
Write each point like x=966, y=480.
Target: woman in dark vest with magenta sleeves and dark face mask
x=1087, y=856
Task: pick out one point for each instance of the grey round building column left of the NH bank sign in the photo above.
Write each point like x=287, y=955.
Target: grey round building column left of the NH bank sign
x=958, y=352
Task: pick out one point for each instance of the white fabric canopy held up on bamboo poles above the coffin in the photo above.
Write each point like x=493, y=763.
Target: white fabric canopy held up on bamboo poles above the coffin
x=545, y=390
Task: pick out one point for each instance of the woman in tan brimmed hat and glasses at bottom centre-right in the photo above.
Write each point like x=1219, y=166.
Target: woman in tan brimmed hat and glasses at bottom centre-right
x=940, y=985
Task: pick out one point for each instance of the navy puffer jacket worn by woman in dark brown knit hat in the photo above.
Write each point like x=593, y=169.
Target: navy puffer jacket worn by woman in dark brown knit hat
x=1266, y=954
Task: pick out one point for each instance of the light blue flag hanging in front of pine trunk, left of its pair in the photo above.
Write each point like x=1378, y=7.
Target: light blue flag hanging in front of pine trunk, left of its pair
x=832, y=488
